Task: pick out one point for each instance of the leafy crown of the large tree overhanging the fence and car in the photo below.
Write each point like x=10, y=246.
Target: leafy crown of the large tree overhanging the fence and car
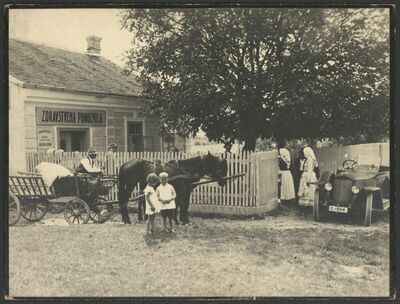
x=241, y=74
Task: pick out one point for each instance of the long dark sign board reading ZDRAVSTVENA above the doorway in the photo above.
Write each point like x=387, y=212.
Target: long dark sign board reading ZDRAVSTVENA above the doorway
x=69, y=117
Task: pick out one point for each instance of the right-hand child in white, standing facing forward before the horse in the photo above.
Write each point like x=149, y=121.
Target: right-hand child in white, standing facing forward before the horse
x=166, y=195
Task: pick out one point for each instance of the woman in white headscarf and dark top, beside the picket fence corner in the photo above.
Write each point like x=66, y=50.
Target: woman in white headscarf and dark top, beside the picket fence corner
x=287, y=192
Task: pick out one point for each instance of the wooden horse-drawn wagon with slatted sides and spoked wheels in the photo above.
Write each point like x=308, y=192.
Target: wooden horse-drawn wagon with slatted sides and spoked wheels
x=84, y=197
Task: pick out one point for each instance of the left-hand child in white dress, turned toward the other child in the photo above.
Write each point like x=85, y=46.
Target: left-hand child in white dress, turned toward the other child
x=152, y=203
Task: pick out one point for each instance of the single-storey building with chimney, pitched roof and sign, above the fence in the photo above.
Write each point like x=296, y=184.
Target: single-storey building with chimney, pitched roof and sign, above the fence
x=72, y=101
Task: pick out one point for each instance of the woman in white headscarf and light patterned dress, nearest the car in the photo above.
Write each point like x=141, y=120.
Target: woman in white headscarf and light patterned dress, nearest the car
x=308, y=179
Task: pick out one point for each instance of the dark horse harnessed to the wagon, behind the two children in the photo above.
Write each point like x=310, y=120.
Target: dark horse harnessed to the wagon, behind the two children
x=182, y=173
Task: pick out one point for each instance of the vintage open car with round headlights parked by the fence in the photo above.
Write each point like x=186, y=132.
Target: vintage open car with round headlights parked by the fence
x=355, y=190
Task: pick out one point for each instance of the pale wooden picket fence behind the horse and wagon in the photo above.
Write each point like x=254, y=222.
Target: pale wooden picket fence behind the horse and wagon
x=258, y=187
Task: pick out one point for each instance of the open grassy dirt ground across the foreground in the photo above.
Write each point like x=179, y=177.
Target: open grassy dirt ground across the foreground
x=283, y=253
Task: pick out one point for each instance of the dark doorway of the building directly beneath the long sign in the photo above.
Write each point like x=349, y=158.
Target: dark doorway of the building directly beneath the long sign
x=73, y=140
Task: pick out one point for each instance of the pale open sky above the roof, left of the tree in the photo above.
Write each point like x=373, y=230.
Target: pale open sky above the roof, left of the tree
x=68, y=29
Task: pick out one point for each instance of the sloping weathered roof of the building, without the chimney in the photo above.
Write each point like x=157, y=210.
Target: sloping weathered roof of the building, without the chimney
x=44, y=66
